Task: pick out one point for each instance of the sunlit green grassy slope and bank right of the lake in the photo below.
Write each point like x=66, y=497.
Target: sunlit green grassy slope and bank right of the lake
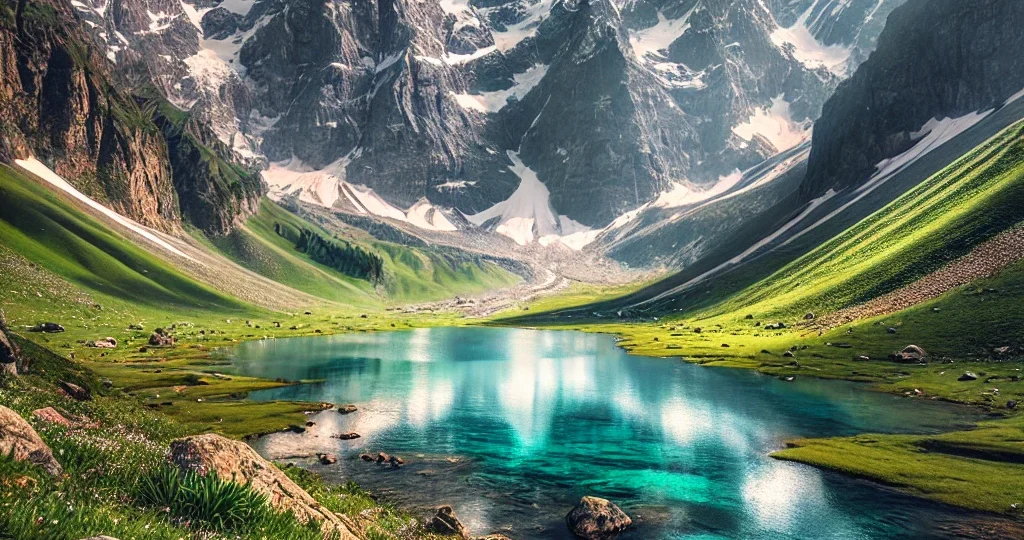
x=932, y=225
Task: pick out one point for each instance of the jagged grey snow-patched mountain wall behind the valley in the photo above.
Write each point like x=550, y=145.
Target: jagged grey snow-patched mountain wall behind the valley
x=536, y=119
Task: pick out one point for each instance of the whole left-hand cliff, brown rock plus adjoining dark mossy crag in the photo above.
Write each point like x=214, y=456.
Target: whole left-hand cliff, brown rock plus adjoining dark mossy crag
x=60, y=102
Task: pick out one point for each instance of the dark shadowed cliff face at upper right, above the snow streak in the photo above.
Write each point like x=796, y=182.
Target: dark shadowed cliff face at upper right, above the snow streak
x=935, y=60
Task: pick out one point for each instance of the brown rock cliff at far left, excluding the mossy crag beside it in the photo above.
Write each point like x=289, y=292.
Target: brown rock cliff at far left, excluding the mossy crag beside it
x=58, y=104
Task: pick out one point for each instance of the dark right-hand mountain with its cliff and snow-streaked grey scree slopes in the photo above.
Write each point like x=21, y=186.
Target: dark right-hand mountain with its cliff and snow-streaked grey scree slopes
x=936, y=90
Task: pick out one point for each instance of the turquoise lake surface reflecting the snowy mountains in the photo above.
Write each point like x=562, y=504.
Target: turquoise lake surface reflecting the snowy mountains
x=513, y=427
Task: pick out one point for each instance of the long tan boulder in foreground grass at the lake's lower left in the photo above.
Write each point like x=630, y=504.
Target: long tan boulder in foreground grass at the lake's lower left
x=238, y=462
